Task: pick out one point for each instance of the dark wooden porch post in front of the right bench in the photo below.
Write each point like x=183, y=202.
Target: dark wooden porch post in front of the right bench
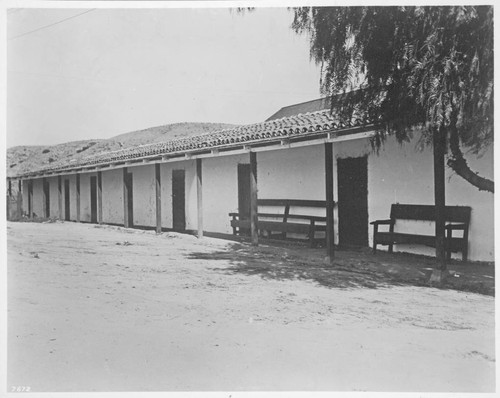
x=439, y=147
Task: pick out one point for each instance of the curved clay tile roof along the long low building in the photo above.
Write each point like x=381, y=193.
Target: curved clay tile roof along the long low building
x=300, y=125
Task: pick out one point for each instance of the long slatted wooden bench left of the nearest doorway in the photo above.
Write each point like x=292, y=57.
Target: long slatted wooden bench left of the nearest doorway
x=285, y=222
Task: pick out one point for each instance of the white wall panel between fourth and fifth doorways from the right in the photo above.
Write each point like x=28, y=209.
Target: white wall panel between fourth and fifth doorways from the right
x=112, y=196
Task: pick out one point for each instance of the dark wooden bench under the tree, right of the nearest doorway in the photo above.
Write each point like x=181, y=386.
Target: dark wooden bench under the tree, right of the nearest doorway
x=457, y=216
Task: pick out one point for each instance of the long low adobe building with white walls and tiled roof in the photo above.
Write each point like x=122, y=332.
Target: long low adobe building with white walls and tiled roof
x=301, y=153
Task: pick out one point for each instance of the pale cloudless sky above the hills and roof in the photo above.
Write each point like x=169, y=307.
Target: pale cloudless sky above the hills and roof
x=76, y=74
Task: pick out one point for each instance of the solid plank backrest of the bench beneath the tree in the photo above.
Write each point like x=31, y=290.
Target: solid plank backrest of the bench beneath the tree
x=459, y=214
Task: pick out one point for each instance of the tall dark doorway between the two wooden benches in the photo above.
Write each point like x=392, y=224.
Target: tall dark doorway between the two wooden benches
x=353, y=201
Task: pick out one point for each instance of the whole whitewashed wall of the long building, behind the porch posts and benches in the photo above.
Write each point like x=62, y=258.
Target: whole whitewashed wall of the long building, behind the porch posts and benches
x=398, y=174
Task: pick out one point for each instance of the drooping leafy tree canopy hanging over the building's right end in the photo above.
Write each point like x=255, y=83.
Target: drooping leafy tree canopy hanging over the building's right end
x=429, y=68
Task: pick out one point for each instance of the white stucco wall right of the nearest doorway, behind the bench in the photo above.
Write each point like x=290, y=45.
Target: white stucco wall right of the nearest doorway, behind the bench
x=402, y=174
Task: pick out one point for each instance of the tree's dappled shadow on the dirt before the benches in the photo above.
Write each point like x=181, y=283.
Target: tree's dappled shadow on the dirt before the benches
x=350, y=268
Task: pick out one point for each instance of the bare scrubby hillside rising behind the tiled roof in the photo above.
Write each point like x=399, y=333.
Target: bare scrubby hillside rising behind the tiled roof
x=22, y=159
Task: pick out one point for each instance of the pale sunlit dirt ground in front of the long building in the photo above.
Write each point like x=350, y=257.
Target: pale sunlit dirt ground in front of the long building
x=101, y=308
